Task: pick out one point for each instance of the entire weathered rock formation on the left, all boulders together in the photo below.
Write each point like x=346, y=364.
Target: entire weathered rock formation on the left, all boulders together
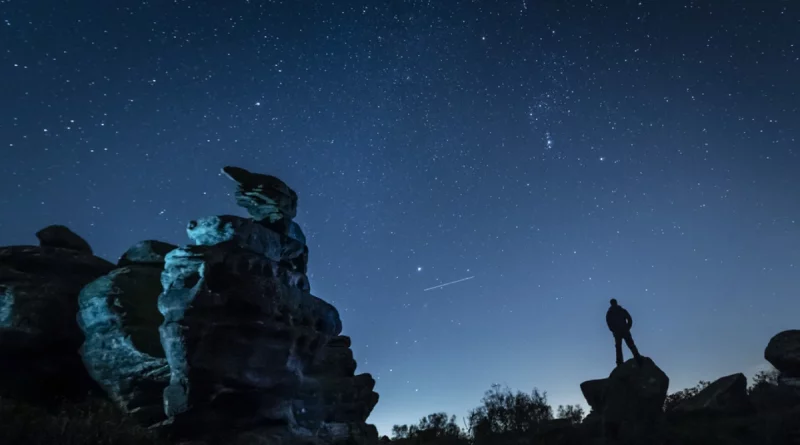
x=219, y=341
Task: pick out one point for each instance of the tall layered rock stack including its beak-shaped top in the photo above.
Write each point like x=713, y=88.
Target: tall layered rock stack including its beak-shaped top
x=248, y=347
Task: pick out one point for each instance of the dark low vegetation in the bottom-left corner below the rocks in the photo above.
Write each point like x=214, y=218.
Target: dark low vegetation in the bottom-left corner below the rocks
x=90, y=422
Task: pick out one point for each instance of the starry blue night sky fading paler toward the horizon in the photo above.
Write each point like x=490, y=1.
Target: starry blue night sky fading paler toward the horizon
x=559, y=152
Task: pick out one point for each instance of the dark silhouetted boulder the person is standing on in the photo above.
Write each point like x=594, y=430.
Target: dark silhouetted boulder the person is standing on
x=629, y=402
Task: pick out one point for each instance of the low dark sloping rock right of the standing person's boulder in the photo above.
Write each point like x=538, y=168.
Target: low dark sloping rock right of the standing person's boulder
x=725, y=396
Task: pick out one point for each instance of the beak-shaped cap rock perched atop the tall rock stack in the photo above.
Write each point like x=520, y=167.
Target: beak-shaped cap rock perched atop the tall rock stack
x=265, y=197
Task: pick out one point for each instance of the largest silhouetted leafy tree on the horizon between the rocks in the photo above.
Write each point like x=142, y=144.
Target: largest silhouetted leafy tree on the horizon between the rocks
x=506, y=412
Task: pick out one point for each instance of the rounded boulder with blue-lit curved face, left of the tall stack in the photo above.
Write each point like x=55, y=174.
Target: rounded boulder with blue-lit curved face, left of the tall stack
x=122, y=351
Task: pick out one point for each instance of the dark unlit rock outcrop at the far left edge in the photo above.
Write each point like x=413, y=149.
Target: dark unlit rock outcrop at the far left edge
x=39, y=337
